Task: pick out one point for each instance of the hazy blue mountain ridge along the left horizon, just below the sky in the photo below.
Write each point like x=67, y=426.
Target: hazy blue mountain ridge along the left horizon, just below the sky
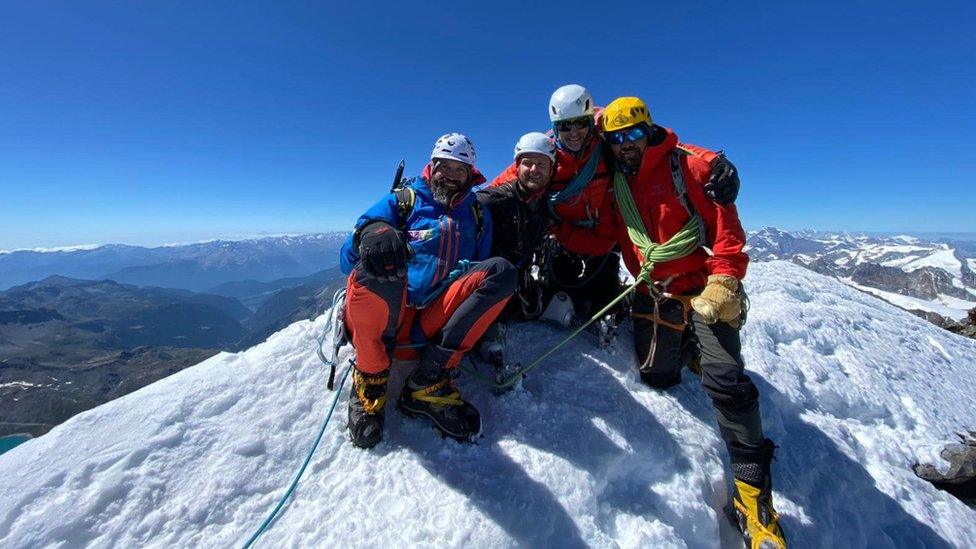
x=196, y=267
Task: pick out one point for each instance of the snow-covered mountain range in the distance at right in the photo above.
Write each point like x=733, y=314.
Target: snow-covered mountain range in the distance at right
x=937, y=276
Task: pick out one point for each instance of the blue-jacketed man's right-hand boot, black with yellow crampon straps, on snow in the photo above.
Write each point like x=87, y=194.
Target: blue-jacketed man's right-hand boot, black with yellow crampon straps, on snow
x=430, y=392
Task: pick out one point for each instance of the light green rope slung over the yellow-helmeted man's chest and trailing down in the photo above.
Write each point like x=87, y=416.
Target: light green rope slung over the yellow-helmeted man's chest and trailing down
x=682, y=244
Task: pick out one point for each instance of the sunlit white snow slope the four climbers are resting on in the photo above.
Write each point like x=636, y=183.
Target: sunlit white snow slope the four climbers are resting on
x=853, y=389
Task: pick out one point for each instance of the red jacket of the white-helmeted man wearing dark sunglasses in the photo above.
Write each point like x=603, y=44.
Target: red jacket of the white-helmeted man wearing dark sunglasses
x=593, y=207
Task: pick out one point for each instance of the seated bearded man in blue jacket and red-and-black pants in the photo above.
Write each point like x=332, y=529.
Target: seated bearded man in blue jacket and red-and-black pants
x=422, y=284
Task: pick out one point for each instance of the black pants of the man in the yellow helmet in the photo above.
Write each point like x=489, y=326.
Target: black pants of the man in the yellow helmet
x=661, y=359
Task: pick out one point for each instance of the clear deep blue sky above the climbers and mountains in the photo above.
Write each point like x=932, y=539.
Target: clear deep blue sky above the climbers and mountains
x=158, y=121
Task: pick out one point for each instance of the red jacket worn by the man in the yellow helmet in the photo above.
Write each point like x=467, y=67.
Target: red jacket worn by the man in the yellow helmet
x=664, y=215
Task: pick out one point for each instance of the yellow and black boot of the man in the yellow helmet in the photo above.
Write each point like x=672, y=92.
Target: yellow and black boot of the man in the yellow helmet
x=752, y=497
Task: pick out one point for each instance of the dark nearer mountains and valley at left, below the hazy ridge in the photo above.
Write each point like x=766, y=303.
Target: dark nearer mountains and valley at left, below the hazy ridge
x=67, y=345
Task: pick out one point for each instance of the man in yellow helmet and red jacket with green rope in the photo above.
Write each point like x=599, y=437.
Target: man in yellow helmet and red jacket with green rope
x=692, y=304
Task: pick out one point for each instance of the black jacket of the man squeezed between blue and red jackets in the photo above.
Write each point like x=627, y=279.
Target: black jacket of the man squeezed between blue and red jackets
x=519, y=225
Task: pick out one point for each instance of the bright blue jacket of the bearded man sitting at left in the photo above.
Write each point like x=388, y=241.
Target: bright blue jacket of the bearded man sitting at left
x=440, y=238
